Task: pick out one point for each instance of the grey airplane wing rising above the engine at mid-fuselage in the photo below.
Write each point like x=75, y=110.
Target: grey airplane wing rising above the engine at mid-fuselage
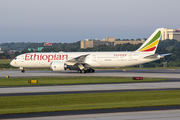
x=77, y=60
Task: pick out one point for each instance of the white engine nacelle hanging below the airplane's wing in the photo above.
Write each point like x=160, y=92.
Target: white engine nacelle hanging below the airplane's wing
x=58, y=66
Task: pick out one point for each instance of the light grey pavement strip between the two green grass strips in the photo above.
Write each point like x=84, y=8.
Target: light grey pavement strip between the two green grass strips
x=90, y=87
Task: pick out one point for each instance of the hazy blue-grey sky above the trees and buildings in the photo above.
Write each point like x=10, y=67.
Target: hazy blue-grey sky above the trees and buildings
x=68, y=21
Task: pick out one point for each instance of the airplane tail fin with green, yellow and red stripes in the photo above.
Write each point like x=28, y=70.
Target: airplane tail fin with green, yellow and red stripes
x=150, y=45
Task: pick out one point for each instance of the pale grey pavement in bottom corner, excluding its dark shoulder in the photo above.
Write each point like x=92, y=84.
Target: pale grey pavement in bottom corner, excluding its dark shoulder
x=150, y=115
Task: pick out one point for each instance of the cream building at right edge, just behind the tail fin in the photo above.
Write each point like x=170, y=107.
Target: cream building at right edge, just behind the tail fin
x=171, y=34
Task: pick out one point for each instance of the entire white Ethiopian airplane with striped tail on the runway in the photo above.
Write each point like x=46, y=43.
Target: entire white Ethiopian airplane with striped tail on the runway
x=83, y=62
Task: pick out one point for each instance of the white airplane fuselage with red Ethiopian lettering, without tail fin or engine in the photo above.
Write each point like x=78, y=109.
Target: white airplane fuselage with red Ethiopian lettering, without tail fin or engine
x=93, y=59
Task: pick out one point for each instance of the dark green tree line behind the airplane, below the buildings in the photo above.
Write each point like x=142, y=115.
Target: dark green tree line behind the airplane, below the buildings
x=166, y=46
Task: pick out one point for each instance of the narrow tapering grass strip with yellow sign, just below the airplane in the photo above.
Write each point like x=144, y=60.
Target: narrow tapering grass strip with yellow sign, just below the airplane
x=69, y=80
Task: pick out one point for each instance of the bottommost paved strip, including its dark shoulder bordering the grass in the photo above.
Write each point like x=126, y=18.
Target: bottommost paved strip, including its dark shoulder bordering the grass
x=150, y=113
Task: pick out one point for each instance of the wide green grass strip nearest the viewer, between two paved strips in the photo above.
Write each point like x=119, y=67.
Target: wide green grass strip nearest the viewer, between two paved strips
x=90, y=101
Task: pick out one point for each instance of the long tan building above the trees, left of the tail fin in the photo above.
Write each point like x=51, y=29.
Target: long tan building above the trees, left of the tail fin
x=109, y=41
